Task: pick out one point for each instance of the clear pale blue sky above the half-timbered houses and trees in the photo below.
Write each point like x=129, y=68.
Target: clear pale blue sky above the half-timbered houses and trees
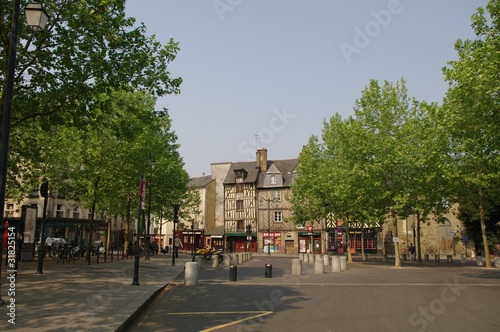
x=268, y=73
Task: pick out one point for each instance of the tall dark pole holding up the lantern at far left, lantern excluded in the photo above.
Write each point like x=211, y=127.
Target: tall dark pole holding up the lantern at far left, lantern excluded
x=7, y=115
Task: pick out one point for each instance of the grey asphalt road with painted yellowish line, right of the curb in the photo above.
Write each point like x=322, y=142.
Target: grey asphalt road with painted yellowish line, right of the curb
x=371, y=296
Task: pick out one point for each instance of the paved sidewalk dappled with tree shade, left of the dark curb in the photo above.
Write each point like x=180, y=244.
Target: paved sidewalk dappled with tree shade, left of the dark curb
x=80, y=297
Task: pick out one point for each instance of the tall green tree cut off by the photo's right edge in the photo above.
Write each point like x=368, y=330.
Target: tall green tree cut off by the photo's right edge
x=471, y=113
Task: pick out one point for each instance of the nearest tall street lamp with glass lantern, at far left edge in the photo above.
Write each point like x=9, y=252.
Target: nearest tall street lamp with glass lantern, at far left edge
x=9, y=90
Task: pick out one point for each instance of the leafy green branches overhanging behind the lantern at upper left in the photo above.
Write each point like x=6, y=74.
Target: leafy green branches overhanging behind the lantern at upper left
x=89, y=48
